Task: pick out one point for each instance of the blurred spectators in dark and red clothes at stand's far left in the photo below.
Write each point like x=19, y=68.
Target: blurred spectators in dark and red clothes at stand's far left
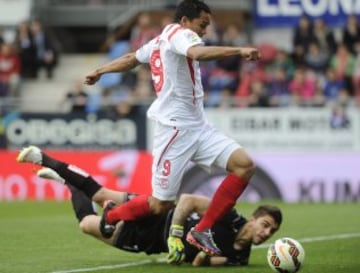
x=24, y=54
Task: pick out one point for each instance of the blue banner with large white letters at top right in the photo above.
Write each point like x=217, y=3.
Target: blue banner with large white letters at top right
x=286, y=13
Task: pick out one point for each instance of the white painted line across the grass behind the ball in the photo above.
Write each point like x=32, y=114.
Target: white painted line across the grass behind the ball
x=161, y=260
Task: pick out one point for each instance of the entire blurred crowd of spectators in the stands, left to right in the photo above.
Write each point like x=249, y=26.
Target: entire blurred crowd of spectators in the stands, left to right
x=321, y=69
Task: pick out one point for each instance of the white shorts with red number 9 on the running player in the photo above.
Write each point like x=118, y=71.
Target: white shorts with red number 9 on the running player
x=175, y=148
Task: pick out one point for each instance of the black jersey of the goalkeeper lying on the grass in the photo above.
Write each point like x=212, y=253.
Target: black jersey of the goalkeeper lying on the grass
x=150, y=235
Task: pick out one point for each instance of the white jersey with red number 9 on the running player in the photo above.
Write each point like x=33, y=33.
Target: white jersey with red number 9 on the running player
x=176, y=78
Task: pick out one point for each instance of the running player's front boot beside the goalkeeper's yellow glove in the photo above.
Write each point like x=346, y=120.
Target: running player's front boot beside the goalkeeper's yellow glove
x=204, y=241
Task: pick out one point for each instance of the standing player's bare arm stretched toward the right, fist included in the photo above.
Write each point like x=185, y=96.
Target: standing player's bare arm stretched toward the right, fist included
x=206, y=53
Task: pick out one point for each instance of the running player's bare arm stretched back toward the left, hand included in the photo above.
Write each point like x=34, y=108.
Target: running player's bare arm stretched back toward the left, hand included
x=121, y=64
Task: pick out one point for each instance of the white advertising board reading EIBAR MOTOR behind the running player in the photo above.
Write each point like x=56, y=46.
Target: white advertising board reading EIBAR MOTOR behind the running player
x=290, y=129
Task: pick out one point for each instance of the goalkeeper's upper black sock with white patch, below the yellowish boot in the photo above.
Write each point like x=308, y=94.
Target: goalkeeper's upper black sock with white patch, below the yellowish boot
x=73, y=177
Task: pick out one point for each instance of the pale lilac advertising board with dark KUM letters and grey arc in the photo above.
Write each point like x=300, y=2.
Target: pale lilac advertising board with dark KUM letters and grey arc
x=297, y=177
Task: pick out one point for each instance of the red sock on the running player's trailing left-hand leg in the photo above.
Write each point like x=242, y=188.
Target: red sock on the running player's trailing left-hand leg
x=135, y=208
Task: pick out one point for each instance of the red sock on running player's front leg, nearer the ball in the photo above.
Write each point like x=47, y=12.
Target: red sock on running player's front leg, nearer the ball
x=224, y=199
